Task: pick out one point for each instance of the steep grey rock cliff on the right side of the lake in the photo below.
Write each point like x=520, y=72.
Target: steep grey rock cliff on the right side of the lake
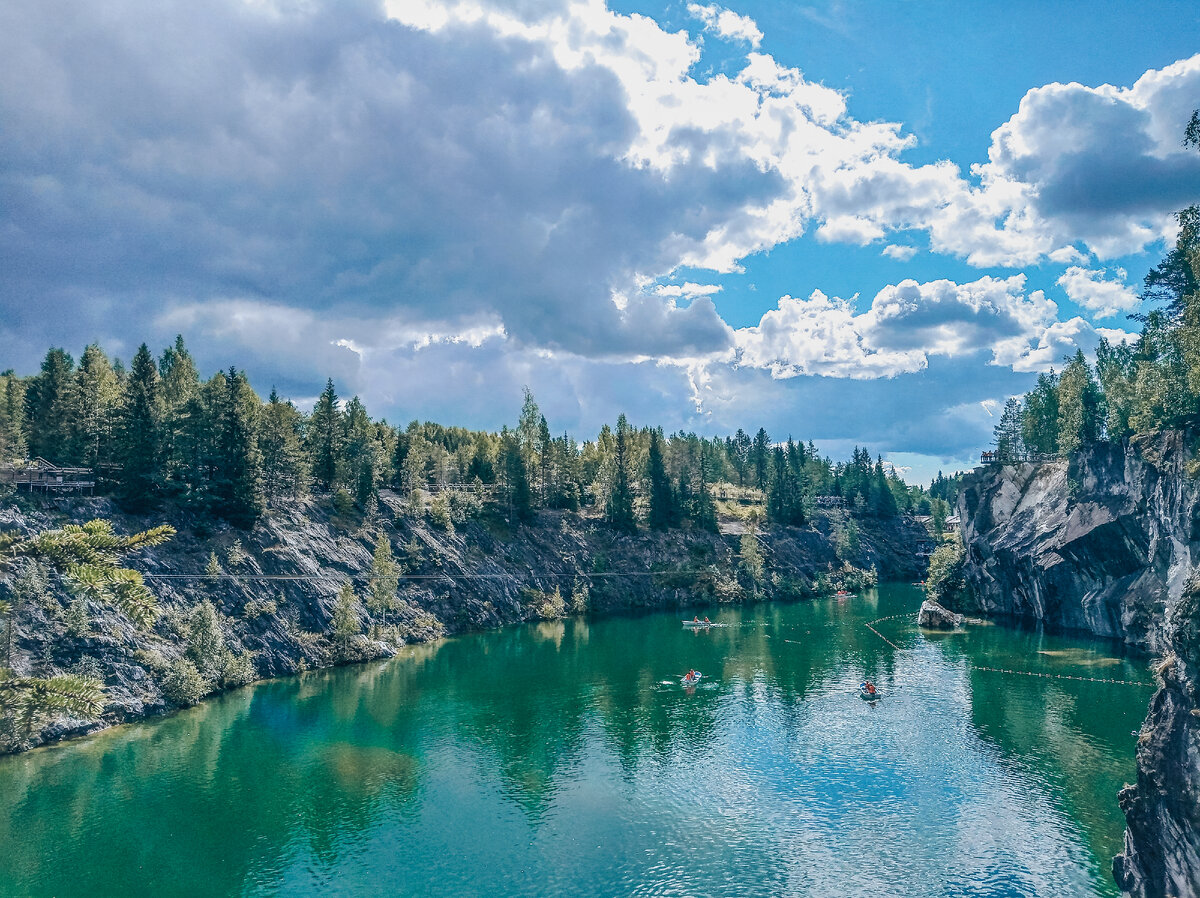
x=1107, y=542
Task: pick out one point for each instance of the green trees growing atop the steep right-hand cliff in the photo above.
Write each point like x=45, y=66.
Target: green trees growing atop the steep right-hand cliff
x=1135, y=388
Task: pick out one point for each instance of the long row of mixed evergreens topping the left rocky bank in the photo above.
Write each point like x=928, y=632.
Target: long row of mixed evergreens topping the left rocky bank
x=157, y=433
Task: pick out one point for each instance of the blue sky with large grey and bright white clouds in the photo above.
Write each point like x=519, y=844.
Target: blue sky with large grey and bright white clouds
x=861, y=223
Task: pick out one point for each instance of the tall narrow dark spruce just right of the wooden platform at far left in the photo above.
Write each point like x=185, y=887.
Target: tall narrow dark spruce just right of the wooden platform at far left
x=140, y=427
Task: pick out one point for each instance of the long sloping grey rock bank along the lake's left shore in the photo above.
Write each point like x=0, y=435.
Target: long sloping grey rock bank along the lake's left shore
x=274, y=588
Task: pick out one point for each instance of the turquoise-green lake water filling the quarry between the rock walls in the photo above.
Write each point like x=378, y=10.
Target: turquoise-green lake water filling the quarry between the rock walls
x=567, y=759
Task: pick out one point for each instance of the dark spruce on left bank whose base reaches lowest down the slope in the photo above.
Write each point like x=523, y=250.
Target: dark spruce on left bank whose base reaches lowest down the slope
x=238, y=477
